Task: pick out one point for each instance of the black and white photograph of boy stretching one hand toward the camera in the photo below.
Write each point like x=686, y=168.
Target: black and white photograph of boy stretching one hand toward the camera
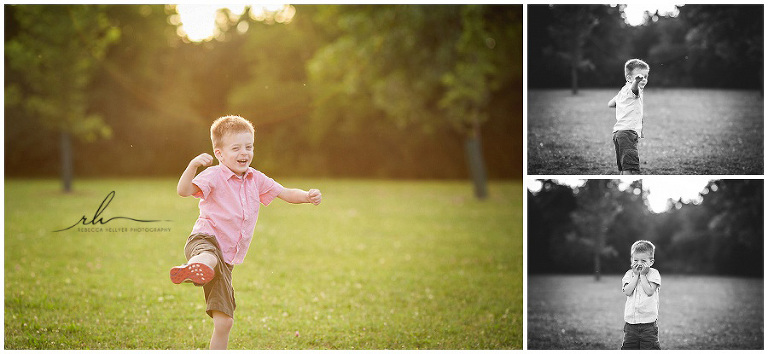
x=645, y=89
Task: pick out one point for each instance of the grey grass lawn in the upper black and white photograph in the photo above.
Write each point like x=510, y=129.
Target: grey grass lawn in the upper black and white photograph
x=688, y=131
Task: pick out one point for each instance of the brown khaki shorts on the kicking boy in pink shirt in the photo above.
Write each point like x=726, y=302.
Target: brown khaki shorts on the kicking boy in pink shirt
x=219, y=294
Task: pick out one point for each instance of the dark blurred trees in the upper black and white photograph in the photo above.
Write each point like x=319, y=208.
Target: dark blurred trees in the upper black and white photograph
x=703, y=46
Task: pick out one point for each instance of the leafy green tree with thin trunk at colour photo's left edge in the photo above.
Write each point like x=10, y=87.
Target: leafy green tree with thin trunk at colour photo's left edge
x=52, y=53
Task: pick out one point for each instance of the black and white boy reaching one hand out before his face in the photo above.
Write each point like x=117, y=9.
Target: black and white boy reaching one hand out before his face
x=629, y=116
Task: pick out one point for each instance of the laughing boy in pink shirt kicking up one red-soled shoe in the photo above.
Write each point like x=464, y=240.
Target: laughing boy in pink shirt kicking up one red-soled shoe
x=230, y=195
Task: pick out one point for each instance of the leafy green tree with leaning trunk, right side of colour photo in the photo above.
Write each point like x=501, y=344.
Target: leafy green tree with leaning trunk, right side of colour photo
x=418, y=67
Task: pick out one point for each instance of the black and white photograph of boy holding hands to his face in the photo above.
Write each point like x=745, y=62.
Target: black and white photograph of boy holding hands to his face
x=673, y=262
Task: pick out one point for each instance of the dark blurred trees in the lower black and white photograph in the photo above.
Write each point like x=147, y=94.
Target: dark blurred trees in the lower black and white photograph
x=590, y=228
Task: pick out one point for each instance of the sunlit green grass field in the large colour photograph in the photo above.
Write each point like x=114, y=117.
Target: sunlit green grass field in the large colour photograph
x=379, y=265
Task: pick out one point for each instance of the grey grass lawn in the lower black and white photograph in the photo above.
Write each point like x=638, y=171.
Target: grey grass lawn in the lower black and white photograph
x=696, y=312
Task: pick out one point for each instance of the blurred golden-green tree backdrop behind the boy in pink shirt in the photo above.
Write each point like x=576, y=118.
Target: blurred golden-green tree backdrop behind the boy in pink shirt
x=337, y=91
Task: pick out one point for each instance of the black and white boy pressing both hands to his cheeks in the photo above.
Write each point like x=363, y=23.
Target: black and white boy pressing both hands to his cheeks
x=641, y=311
